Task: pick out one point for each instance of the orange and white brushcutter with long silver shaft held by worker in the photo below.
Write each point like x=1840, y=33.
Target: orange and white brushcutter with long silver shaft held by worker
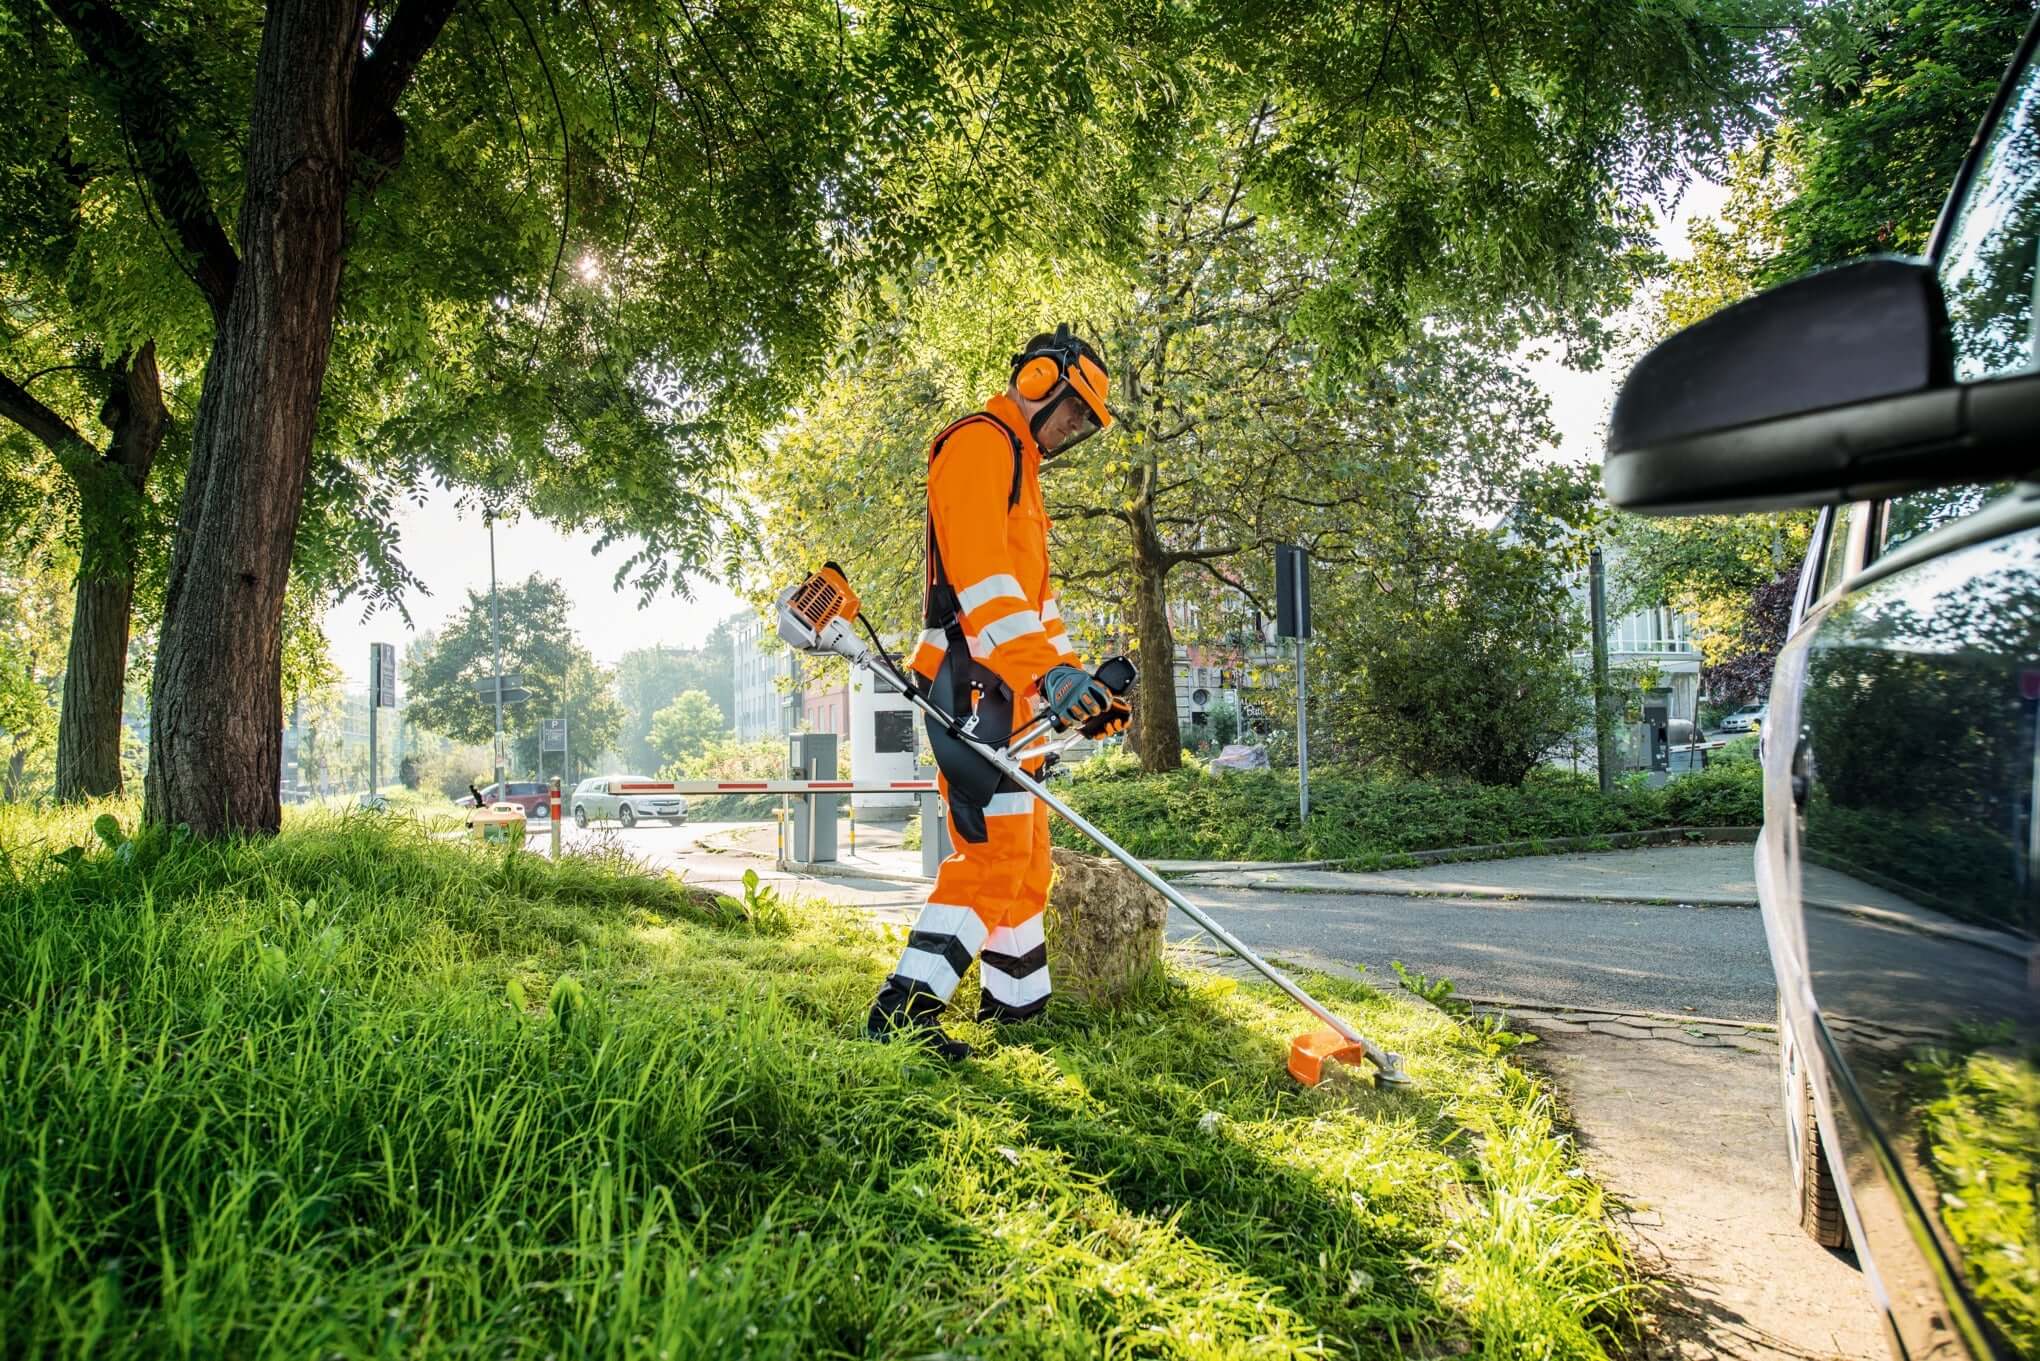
x=817, y=617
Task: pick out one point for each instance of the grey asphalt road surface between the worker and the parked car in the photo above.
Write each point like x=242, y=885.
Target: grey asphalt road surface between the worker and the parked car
x=1623, y=958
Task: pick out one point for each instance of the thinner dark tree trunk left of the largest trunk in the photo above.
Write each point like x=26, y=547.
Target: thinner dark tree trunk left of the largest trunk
x=111, y=503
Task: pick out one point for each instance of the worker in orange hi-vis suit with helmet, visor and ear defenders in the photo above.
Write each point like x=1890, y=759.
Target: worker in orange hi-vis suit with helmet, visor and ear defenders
x=994, y=644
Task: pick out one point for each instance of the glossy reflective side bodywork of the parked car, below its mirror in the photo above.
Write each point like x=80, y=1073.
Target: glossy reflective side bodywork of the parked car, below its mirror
x=1902, y=848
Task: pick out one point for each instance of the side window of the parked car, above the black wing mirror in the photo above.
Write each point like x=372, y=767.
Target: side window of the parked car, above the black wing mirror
x=1988, y=258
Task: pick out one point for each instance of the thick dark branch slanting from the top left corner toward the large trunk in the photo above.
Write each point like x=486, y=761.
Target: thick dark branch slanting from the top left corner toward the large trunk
x=125, y=62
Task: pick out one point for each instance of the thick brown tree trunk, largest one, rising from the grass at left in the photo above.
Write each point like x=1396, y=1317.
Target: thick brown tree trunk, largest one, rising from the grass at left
x=215, y=744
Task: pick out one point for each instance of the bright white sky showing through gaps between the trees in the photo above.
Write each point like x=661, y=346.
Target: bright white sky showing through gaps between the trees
x=450, y=552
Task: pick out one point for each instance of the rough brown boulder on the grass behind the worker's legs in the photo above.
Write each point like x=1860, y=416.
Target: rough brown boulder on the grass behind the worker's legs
x=1105, y=929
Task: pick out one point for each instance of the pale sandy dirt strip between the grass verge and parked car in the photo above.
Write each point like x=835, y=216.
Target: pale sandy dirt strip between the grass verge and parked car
x=1692, y=1144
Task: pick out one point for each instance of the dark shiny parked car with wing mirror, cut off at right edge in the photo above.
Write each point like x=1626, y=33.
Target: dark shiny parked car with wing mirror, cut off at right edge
x=1900, y=860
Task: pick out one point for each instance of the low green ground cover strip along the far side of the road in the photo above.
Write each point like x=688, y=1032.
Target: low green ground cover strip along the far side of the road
x=1372, y=819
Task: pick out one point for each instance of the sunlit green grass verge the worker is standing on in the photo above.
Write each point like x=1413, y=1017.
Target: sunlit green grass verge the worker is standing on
x=352, y=1093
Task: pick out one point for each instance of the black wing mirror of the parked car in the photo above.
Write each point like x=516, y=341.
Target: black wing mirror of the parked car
x=1837, y=387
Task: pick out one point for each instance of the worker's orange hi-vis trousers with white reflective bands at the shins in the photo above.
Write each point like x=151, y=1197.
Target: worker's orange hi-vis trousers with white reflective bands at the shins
x=986, y=905
